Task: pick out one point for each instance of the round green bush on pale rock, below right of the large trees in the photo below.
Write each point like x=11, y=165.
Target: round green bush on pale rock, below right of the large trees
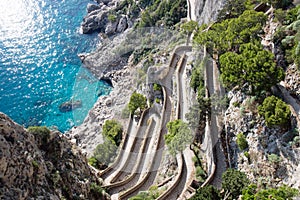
x=275, y=112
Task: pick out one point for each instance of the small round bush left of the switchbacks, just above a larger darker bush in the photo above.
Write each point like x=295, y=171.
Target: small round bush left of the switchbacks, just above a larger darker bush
x=113, y=130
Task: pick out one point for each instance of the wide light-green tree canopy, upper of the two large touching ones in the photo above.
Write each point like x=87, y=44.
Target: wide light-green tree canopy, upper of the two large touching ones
x=229, y=34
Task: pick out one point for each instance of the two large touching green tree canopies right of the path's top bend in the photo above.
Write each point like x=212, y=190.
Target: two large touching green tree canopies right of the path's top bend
x=235, y=42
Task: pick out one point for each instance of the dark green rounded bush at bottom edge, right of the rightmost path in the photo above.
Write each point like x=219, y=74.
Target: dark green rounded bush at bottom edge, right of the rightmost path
x=234, y=182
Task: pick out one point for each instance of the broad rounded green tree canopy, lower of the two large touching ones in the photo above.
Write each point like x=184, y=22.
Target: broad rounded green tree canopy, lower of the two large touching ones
x=253, y=65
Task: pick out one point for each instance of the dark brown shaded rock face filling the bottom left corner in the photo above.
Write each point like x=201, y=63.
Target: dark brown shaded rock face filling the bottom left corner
x=53, y=170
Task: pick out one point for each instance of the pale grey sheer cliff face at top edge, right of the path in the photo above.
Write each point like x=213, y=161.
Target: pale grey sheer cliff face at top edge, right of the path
x=204, y=11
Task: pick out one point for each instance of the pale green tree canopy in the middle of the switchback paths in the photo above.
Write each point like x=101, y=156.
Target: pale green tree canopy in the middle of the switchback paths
x=179, y=136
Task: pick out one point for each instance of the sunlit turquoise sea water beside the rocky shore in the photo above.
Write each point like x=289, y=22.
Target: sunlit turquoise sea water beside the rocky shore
x=39, y=66
